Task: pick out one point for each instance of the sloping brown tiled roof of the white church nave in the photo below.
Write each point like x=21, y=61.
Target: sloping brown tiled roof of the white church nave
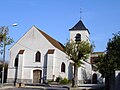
x=52, y=41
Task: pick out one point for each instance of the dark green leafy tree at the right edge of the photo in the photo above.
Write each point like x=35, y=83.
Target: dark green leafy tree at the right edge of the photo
x=108, y=63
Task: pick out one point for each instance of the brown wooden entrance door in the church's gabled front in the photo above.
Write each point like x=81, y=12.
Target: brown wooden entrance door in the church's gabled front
x=37, y=76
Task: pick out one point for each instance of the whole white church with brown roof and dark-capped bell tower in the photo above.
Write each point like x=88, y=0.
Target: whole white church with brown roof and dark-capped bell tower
x=37, y=56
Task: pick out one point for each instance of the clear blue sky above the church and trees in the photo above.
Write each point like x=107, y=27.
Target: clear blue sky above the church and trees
x=56, y=17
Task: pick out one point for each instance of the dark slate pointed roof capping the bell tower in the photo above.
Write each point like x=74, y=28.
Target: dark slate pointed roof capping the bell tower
x=79, y=26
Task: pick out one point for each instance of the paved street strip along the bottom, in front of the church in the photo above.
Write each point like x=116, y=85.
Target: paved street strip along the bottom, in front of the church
x=53, y=87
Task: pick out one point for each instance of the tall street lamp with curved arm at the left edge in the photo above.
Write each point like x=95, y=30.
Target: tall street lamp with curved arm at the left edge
x=4, y=31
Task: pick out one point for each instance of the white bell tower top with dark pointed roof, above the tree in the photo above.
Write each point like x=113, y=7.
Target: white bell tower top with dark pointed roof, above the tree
x=79, y=32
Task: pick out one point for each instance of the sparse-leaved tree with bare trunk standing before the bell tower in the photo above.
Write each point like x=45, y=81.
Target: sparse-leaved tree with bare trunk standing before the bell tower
x=76, y=52
